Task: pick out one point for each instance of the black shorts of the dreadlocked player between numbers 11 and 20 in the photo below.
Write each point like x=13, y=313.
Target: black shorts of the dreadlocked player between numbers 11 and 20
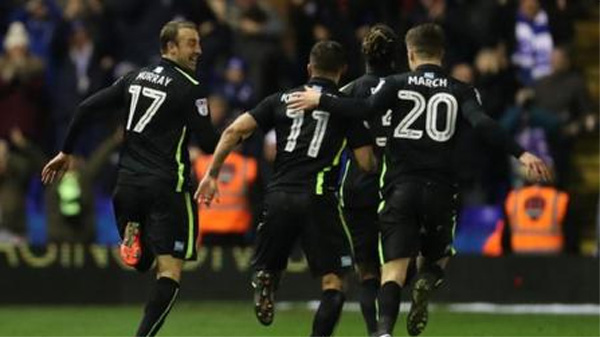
x=364, y=229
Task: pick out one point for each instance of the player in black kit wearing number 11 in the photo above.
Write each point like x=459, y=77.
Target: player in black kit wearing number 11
x=301, y=203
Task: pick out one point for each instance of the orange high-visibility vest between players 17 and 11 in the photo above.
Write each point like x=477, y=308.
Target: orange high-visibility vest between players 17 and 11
x=233, y=213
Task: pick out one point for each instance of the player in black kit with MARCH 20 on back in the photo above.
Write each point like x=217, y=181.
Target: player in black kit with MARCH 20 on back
x=418, y=213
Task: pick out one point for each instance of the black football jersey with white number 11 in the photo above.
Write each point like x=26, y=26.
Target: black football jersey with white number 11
x=309, y=143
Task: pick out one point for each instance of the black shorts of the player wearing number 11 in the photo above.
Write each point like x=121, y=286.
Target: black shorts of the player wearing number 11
x=315, y=220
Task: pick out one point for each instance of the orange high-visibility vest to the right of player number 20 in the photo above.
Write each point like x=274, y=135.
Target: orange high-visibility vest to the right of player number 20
x=535, y=216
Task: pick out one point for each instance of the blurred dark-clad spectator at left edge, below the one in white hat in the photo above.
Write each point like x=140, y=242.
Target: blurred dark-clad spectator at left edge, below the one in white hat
x=20, y=160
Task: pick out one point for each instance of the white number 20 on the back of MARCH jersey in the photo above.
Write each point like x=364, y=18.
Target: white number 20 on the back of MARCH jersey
x=403, y=129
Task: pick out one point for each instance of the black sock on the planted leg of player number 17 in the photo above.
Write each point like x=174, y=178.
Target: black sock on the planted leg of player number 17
x=161, y=300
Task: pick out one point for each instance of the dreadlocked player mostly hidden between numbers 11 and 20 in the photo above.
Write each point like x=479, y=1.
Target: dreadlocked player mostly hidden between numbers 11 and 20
x=359, y=193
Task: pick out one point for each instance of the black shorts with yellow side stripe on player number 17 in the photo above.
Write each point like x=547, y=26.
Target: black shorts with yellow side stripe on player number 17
x=169, y=219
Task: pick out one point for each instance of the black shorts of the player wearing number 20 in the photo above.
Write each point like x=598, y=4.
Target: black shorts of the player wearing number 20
x=418, y=216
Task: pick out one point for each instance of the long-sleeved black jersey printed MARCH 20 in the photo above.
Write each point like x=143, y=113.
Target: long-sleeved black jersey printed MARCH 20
x=429, y=110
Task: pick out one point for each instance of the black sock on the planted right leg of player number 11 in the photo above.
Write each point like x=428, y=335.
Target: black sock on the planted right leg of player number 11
x=328, y=313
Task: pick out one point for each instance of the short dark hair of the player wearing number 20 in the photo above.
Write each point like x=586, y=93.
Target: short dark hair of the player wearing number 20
x=426, y=40
